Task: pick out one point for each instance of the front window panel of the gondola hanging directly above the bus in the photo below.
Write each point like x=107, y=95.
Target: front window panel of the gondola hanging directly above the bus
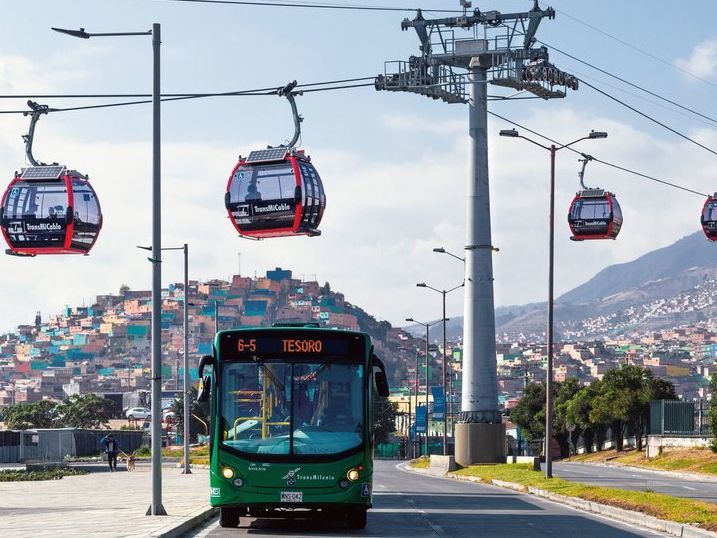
x=262, y=197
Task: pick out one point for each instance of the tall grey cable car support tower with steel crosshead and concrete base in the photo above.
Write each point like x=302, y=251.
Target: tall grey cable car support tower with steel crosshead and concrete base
x=500, y=51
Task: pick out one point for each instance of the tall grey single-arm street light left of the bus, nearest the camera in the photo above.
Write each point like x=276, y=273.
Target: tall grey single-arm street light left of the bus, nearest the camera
x=155, y=508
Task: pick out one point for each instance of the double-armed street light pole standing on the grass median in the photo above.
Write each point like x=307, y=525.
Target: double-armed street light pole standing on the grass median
x=553, y=149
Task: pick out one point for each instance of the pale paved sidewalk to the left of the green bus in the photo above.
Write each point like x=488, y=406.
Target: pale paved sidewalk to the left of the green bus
x=104, y=503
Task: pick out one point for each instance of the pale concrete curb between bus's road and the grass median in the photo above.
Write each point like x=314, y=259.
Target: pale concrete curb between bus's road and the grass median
x=628, y=516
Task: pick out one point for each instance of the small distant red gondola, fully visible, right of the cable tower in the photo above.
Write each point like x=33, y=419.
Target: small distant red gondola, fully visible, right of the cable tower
x=594, y=213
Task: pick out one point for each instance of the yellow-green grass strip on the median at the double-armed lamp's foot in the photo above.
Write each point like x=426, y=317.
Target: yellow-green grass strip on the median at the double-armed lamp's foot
x=659, y=505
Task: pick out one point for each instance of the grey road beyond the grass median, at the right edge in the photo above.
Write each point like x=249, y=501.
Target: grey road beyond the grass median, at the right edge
x=620, y=477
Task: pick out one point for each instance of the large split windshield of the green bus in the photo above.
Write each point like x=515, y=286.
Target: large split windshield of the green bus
x=292, y=408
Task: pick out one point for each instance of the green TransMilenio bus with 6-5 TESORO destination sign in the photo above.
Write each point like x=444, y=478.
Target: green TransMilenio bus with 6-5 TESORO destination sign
x=291, y=422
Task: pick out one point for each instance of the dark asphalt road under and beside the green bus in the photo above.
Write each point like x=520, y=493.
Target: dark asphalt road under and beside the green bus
x=408, y=504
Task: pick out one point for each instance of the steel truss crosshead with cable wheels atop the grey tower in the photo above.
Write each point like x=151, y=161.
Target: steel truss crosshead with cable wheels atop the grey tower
x=494, y=45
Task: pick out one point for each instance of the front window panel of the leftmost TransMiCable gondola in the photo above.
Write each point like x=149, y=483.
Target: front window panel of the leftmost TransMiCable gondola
x=34, y=214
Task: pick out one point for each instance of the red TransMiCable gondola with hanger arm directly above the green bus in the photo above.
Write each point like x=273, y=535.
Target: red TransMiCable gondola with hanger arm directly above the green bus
x=276, y=192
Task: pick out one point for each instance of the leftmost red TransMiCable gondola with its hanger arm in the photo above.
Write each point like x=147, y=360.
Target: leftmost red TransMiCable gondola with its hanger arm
x=48, y=209
